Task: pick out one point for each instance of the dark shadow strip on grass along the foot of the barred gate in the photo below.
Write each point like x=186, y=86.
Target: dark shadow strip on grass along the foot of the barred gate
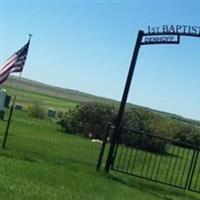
x=155, y=189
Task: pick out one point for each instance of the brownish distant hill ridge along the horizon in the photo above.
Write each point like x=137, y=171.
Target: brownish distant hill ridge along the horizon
x=77, y=96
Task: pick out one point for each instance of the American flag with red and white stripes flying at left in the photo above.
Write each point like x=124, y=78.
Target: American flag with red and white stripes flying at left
x=15, y=63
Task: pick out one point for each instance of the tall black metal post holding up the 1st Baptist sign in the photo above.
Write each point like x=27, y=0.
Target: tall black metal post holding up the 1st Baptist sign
x=123, y=101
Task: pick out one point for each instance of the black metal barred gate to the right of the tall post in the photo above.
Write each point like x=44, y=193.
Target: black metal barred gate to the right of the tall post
x=157, y=159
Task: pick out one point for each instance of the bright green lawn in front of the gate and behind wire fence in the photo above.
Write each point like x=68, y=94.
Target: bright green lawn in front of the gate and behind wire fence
x=40, y=162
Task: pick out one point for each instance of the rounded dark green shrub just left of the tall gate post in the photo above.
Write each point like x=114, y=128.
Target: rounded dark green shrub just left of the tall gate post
x=87, y=118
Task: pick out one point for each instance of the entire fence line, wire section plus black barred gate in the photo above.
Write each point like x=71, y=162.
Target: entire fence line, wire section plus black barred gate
x=143, y=155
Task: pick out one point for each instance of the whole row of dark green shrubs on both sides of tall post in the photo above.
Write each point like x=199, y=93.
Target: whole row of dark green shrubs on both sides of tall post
x=92, y=118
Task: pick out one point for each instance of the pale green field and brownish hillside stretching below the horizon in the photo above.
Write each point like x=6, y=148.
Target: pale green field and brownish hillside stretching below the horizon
x=57, y=97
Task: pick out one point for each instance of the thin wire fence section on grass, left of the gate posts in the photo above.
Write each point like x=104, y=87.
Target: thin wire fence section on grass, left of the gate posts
x=43, y=137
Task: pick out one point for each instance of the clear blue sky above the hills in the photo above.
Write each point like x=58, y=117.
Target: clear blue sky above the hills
x=87, y=46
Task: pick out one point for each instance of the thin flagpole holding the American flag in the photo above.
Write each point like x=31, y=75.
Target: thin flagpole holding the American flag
x=12, y=107
